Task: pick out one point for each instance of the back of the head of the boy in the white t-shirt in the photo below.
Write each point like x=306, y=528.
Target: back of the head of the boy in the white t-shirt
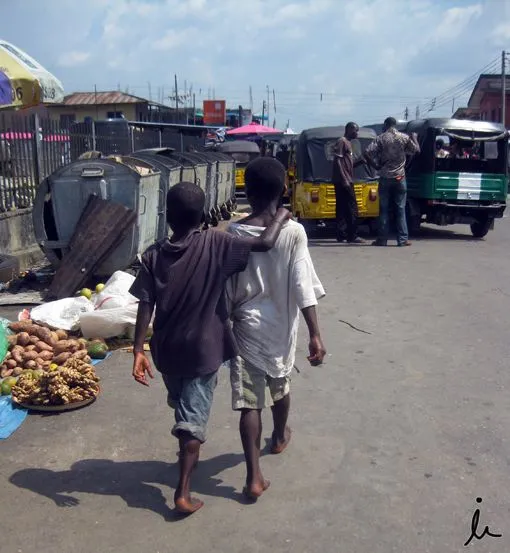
x=265, y=179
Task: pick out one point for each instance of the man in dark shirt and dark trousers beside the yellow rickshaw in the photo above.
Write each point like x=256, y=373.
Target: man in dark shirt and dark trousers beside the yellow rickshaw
x=343, y=177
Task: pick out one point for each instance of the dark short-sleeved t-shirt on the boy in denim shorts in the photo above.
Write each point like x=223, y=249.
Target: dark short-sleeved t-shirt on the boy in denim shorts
x=185, y=280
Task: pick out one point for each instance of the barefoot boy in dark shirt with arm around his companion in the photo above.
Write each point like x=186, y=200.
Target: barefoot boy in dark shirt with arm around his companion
x=184, y=277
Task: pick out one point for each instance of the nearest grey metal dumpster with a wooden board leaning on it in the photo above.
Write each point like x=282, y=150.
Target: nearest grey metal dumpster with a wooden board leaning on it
x=61, y=198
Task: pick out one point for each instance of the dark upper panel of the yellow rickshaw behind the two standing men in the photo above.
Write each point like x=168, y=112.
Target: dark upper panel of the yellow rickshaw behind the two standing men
x=318, y=162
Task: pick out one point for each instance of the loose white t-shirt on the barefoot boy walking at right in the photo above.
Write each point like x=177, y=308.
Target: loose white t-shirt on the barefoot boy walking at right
x=266, y=298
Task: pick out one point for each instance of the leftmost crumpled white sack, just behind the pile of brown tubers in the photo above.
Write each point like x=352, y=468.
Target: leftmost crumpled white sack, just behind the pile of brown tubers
x=63, y=313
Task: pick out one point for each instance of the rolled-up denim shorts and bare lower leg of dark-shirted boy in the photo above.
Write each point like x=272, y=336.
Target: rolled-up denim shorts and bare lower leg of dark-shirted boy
x=192, y=400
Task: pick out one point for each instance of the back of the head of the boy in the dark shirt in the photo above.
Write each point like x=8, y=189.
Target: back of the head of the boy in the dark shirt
x=185, y=205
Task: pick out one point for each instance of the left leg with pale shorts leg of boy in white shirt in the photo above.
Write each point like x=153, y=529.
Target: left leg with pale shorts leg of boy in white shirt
x=248, y=396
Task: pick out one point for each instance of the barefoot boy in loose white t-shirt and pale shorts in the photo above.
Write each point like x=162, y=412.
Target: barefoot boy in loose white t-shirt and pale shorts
x=265, y=301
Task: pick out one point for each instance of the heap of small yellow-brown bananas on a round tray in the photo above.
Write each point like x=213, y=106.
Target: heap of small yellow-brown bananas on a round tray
x=73, y=382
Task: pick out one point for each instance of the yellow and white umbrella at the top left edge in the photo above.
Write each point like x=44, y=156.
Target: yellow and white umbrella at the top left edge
x=24, y=82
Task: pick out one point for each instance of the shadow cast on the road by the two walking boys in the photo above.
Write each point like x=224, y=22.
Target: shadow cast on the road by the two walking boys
x=130, y=480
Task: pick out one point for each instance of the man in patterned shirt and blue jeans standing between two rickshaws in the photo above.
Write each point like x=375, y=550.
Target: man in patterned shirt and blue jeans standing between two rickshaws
x=388, y=154
